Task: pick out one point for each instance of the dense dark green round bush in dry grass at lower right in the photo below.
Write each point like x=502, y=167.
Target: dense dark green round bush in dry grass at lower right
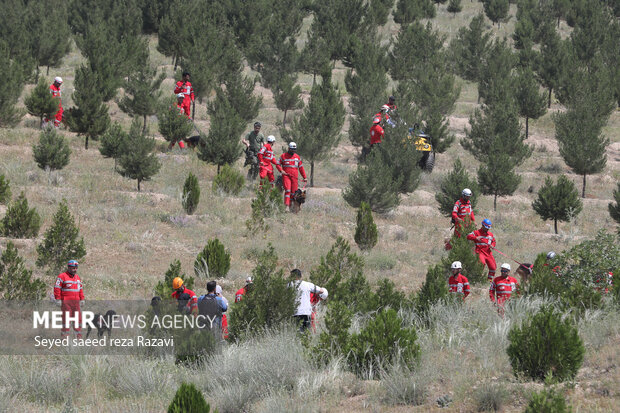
x=546, y=345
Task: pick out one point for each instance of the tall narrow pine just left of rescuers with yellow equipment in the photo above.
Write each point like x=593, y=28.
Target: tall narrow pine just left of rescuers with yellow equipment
x=366, y=84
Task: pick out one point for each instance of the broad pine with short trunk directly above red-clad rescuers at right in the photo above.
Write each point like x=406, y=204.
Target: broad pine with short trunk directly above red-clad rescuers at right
x=495, y=139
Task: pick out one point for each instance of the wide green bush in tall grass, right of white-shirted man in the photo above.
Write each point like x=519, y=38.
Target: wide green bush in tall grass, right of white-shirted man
x=383, y=341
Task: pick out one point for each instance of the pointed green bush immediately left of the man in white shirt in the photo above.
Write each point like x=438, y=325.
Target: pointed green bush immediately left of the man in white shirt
x=270, y=303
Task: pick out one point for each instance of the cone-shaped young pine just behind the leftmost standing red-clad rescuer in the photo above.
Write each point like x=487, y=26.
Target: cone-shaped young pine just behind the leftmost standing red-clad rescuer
x=60, y=242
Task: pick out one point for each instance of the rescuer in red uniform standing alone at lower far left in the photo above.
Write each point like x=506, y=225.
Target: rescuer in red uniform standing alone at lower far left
x=69, y=294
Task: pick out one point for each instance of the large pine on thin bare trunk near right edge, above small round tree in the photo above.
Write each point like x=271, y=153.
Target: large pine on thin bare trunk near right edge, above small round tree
x=580, y=138
